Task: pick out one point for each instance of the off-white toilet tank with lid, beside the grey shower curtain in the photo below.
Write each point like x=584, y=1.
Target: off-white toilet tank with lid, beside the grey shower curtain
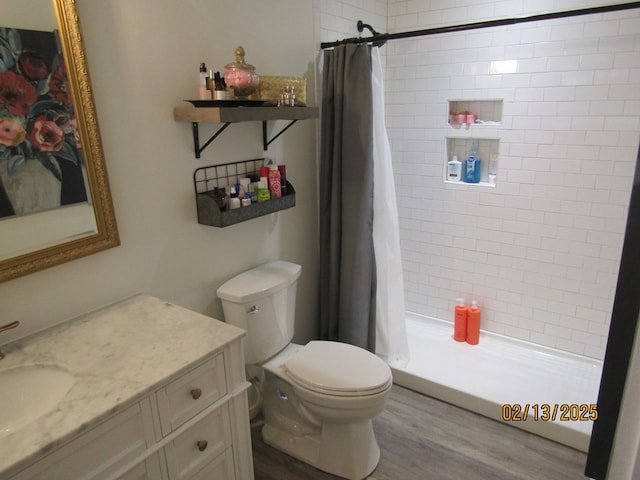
x=262, y=301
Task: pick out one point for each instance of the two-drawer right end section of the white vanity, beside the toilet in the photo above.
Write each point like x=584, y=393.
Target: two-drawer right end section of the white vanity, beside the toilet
x=196, y=413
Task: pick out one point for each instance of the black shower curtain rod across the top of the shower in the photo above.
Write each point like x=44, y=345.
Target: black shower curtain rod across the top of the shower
x=379, y=39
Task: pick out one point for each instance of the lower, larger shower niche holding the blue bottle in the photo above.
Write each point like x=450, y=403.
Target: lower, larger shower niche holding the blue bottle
x=487, y=151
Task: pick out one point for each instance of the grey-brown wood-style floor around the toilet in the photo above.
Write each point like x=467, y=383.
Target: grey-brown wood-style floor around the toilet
x=422, y=438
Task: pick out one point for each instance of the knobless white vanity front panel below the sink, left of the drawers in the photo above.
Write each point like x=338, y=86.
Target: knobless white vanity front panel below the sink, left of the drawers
x=99, y=453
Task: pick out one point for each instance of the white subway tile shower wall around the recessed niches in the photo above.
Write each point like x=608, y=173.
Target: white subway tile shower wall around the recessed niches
x=541, y=250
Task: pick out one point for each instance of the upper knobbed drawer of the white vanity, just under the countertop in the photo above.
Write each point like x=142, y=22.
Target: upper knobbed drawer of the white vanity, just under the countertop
x=191, y=393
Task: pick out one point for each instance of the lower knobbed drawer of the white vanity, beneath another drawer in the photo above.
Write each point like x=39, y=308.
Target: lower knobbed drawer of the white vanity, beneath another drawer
x=199, y=444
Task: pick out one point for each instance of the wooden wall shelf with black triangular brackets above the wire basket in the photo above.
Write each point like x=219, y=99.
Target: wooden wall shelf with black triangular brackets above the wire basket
x=229, y=115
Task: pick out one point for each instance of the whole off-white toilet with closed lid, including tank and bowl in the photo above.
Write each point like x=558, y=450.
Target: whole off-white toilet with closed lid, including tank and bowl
x=319, y=398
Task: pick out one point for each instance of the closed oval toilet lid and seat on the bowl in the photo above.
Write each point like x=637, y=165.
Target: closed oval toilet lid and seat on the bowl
x=340, y=369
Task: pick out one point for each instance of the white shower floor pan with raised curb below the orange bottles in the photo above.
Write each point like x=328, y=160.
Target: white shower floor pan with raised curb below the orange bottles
x=504, y=371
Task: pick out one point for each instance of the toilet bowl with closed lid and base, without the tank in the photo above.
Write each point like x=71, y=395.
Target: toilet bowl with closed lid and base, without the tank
x=323, y=418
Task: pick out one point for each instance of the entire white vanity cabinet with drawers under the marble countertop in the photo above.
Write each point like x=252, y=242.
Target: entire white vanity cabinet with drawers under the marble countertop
x=193, y=425
